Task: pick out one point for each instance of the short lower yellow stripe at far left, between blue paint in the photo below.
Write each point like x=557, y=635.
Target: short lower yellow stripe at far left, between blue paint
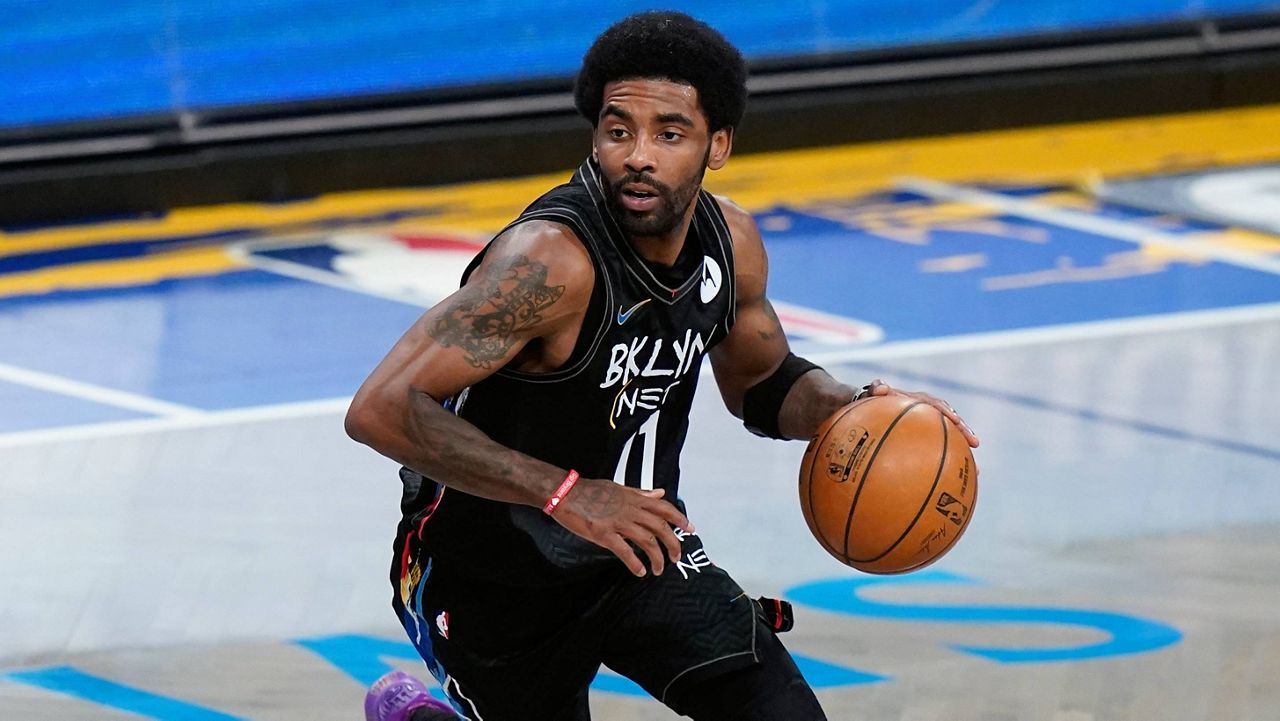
x=188, y=263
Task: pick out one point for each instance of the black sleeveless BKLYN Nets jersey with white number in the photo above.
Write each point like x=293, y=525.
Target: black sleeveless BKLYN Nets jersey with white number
x=619, y=409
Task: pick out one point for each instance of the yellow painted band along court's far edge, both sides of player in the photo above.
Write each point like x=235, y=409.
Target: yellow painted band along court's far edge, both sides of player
x=1073, y=154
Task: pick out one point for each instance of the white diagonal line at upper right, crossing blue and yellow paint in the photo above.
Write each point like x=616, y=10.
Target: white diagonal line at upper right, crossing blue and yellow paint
x=1099, y=226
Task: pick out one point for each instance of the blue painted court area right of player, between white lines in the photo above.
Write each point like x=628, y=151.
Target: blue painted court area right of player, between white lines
x=885, y=261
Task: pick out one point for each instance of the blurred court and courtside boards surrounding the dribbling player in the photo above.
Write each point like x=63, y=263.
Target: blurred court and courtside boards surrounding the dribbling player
x=1062, y=217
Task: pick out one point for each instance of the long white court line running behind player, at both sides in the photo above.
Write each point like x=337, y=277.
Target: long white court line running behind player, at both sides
x=900, y=350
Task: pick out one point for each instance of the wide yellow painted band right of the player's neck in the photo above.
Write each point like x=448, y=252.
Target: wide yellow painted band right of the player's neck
x=1073, y=154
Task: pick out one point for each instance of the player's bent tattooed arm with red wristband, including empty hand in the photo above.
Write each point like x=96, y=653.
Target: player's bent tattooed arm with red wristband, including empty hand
x=522, y=308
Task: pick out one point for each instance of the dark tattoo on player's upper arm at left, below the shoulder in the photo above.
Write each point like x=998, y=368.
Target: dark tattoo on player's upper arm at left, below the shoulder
x=488, y=317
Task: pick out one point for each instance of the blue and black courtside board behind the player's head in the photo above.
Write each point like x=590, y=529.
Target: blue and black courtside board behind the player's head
x=148, y=104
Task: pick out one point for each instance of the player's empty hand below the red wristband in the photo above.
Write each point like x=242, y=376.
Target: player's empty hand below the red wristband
x=611, y=515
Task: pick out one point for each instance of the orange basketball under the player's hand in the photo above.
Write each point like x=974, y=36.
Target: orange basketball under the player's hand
x=888, y=486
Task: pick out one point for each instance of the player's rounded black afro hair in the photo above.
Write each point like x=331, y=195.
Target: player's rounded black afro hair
x=673, y=47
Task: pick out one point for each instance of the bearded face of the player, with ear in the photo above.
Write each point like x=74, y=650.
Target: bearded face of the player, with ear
x=655, y=147
